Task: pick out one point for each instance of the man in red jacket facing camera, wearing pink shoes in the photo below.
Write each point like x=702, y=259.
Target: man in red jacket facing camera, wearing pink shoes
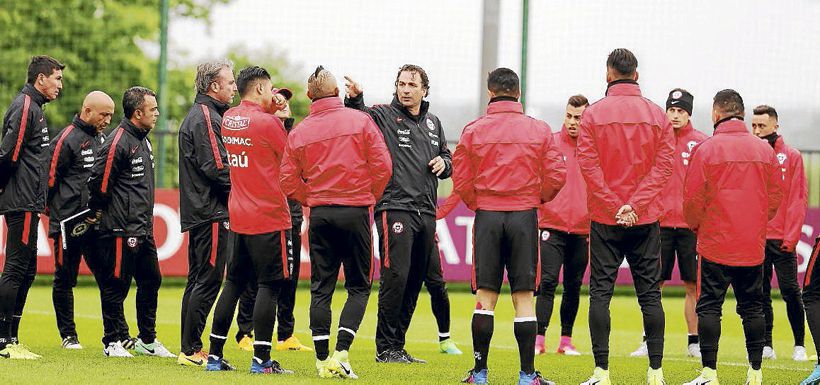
x=564, y=226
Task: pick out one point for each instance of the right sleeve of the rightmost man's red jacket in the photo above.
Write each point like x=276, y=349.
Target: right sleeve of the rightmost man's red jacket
x=798, y=202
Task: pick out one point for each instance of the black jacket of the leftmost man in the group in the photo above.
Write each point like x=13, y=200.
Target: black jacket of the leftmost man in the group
x=24, y=154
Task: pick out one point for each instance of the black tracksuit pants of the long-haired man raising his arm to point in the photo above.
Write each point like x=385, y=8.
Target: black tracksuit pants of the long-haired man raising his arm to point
x=405, y=240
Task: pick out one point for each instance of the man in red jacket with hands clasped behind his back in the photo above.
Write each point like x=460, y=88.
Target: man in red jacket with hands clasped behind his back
x=625, y=150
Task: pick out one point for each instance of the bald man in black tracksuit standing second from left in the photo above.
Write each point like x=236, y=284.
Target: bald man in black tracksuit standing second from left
x=72, y=156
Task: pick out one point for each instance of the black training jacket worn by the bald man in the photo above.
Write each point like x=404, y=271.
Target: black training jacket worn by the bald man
x=73, y=151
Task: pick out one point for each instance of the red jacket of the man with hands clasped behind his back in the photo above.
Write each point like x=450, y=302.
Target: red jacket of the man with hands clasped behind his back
x=625, y=151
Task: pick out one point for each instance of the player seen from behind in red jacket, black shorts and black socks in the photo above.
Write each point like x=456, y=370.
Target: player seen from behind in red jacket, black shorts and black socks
x=505, y=166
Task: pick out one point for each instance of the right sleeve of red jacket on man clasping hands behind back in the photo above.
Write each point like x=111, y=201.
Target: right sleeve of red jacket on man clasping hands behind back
x=654, y=182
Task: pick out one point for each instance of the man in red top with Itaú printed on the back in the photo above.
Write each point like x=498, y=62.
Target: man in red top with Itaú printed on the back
x=259, y=215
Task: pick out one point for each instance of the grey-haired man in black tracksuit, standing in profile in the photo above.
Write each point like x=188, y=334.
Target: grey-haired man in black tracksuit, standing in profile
x=203, y=201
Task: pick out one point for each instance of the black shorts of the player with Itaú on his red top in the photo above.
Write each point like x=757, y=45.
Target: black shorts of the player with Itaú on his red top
x=261, y=258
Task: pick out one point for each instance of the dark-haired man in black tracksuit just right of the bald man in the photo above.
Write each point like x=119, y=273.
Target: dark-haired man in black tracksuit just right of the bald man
x=122, y=202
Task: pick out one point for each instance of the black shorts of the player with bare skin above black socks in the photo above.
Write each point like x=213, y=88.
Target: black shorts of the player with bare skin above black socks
x=506, y=240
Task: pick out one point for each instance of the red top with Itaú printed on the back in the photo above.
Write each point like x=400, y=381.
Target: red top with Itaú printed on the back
x=255, y=141
